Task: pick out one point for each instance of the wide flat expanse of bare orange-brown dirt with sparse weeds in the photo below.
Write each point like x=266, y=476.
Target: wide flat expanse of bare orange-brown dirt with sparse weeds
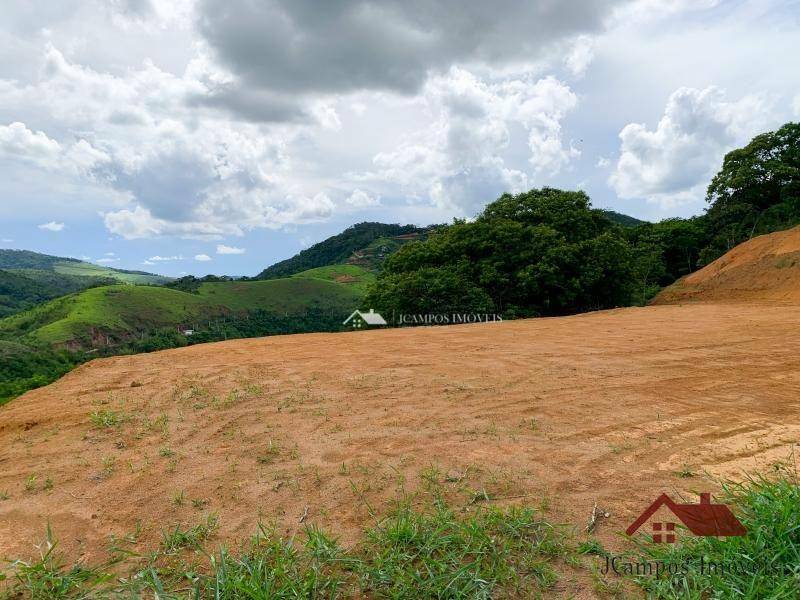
x=606, y=407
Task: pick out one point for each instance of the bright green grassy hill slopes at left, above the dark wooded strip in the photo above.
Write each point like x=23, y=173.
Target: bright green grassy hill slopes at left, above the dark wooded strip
x=115, y=314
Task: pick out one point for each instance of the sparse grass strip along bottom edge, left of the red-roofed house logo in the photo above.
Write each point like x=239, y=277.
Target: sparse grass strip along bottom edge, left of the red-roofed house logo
x=436, y=552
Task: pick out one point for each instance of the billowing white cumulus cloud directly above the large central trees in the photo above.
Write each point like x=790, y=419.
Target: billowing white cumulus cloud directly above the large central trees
x=458, y=162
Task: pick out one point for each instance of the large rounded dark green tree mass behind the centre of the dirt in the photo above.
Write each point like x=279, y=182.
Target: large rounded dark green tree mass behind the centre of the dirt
x=543, y=252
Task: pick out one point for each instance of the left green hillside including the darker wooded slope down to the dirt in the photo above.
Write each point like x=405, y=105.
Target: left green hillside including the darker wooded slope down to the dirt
x=46, y=341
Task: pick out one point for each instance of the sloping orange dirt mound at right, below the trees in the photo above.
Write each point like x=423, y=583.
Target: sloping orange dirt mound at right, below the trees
x=766, y=268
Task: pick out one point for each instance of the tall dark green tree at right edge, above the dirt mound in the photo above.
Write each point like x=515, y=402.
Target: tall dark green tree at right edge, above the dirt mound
x=756, y=191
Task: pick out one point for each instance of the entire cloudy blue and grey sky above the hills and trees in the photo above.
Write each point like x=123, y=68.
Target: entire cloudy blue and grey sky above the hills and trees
x=220, y=136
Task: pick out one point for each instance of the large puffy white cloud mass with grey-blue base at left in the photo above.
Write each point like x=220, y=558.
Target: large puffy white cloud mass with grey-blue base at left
x=185, y=172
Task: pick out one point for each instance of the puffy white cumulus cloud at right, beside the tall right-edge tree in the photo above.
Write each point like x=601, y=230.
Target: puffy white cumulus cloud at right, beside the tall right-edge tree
x=673, y=162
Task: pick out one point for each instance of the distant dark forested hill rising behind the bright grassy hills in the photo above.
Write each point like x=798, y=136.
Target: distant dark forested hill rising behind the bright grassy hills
x=340, y=248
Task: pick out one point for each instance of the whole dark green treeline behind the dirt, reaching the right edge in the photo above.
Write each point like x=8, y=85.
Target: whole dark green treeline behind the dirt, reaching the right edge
x=547, y=252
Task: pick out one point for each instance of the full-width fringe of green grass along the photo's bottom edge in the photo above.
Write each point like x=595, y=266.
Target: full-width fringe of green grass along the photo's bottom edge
x=435, y=553
